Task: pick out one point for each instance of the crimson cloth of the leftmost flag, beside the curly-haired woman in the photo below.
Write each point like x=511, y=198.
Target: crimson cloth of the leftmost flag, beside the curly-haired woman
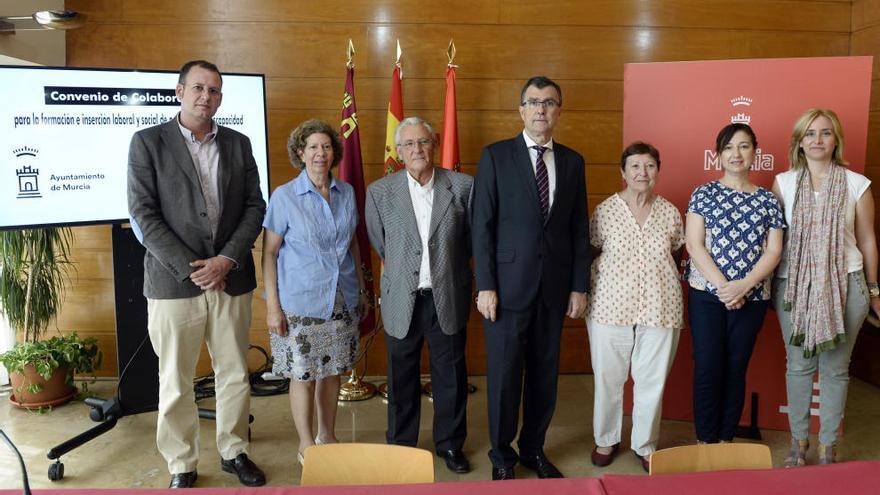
x=351, y=170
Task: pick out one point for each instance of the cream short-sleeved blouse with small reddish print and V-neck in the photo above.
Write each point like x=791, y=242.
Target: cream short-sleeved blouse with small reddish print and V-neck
x=635, y=280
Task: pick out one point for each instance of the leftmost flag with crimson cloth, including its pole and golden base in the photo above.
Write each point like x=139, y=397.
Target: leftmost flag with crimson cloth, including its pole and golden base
x=355, y=388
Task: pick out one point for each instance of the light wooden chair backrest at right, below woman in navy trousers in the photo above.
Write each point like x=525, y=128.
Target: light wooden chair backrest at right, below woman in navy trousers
x=711, y=457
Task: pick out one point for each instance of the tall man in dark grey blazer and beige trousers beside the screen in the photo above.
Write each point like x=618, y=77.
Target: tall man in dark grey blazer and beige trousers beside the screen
x=194, y=194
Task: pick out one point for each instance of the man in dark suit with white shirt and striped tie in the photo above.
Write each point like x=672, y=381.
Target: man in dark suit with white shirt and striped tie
x=531, y=257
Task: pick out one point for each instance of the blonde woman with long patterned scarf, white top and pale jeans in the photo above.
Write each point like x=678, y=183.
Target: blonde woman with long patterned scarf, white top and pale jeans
x=827, y=280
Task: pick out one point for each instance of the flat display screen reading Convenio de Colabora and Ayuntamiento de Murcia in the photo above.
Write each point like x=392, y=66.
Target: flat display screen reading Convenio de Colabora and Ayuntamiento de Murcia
x=65, y=133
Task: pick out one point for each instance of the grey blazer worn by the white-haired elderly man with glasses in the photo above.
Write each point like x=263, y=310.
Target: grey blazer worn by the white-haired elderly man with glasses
x=394, y=234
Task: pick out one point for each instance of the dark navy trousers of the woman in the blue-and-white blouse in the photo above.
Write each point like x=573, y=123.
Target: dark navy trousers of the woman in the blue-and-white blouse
x=723, y=341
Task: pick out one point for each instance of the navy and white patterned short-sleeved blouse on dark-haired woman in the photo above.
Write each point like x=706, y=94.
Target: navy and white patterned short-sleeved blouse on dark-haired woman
x=737, y=224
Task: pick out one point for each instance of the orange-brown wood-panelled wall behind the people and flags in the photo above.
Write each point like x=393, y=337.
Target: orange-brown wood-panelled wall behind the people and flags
x=300, y=47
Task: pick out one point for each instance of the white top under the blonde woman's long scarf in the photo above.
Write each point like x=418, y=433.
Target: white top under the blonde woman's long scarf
x=856, y=185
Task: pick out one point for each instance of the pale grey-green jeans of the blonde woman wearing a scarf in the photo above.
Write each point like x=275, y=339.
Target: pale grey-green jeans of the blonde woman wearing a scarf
x=833, y=365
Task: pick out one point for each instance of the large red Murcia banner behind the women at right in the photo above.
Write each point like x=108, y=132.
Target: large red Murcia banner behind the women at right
x=679, y=107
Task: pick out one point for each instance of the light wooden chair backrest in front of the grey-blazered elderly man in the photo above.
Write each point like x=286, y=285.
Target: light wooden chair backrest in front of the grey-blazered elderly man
x=366, y=464
